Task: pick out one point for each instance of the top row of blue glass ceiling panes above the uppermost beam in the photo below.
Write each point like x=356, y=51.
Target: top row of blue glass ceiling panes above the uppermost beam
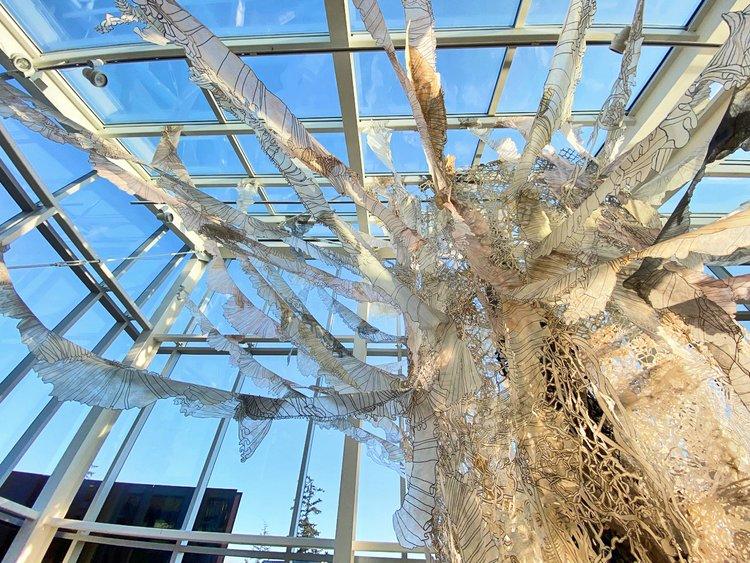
x=69, y=24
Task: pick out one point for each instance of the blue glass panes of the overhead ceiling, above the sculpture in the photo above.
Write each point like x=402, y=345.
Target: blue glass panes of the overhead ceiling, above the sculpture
x=155, y=92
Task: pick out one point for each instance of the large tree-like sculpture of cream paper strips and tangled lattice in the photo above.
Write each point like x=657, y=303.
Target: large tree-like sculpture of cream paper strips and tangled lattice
x=577, y=386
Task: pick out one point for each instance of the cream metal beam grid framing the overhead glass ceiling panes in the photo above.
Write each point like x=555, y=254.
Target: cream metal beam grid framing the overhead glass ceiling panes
x=339, y=40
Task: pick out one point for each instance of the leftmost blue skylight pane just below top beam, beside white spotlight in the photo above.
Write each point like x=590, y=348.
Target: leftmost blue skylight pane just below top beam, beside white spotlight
x=148, y=91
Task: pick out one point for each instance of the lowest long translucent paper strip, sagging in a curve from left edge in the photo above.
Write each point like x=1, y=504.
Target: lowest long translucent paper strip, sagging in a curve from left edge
x=80, y=375
